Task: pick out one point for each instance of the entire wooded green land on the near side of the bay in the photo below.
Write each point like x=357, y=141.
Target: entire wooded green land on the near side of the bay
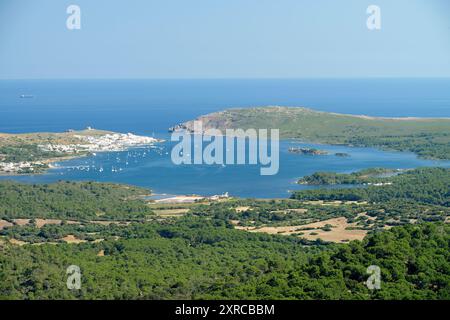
x=201, y=255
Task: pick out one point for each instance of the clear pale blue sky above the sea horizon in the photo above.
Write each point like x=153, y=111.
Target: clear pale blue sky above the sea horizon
x=224, y=39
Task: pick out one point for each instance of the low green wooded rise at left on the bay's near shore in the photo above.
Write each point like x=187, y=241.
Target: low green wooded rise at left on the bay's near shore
x=72, y=200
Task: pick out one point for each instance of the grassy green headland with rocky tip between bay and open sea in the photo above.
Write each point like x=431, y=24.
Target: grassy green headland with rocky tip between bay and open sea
x=429, y=138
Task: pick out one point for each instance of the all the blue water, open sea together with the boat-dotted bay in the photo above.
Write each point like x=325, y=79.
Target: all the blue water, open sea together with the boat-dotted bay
x=150, y=107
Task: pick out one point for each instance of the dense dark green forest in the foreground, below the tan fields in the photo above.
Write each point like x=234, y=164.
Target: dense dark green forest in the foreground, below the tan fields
x=198, y=259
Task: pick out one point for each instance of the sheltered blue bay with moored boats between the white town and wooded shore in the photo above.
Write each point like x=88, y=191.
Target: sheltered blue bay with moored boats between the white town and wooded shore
x=283, y=186
